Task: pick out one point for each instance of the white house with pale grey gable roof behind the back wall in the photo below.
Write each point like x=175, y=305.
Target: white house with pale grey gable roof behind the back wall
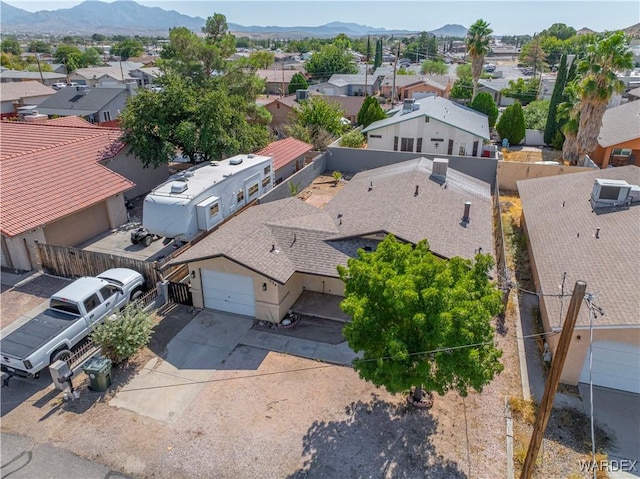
x=431, y=125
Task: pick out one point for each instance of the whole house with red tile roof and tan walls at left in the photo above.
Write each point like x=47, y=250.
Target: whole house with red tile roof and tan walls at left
x=63, y=182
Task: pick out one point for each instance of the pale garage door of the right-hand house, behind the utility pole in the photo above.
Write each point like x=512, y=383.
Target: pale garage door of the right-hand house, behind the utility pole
x=615, y=365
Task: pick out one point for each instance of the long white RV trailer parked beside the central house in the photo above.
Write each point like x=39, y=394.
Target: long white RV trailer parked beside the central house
x=201, y=197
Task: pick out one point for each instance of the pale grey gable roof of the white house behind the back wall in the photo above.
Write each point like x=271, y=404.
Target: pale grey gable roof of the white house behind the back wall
x=443, y=110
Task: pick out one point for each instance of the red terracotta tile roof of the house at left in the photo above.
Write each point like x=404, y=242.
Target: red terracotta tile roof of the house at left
x=51, y=171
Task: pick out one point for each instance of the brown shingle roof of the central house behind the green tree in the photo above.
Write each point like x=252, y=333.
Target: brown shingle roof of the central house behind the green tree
x=278, y=238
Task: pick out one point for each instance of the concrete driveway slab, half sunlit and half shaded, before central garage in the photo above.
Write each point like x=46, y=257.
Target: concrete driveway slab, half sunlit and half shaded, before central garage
x=191, y=358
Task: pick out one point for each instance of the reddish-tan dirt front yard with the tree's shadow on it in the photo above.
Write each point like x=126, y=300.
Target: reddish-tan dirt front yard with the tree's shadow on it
x=270, y=415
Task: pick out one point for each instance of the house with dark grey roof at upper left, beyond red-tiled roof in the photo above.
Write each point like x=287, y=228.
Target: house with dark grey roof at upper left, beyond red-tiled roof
x=97, y=105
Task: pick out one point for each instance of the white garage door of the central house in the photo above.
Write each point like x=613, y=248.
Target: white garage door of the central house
x=228, y=292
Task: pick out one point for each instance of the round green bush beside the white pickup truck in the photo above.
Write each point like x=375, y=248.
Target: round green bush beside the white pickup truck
x=121, y=337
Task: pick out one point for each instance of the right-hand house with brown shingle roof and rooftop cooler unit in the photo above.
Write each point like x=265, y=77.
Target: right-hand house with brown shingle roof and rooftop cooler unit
x=585, y=226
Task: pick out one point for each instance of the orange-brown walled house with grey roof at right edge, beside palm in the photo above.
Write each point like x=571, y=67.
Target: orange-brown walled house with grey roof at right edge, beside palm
x=619, y=137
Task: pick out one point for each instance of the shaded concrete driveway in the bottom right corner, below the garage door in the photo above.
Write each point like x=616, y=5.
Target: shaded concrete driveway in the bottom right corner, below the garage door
x=619, y=412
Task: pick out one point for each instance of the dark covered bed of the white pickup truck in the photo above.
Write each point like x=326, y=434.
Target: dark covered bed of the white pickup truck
x=36, y=333
